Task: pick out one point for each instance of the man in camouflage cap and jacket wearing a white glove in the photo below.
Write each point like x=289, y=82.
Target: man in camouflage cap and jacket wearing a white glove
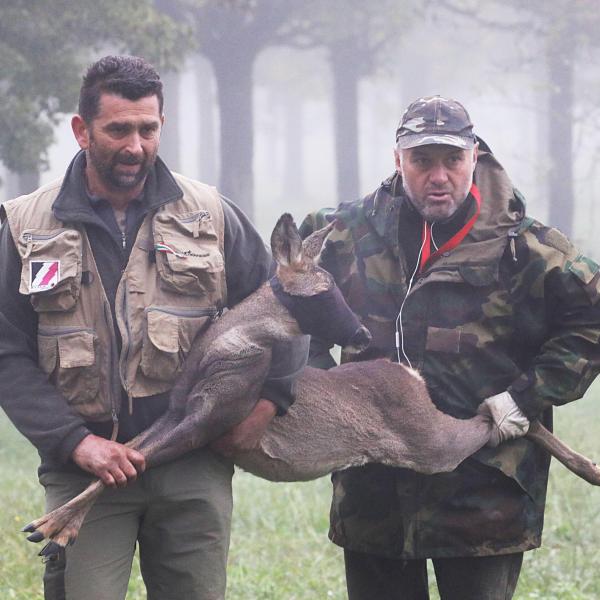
x=489, y=305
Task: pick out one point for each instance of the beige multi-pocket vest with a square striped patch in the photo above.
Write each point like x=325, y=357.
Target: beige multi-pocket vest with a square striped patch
x=173, y=285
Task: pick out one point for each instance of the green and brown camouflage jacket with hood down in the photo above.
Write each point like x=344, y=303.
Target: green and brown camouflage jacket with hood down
x=515, y=307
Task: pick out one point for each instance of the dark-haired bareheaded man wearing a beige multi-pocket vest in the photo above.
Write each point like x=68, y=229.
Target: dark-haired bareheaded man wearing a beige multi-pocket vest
x=106, y=277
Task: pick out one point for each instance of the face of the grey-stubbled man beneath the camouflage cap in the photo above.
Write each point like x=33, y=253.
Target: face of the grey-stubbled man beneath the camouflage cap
x=436, y=178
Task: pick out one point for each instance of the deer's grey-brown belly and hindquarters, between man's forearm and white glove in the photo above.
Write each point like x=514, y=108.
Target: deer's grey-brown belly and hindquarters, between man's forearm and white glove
x=374, y=411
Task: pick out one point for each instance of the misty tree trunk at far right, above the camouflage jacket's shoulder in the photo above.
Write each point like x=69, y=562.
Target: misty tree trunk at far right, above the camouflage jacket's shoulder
x=561, y=67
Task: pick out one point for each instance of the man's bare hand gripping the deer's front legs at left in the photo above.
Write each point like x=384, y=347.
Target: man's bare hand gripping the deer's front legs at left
x=115, y=464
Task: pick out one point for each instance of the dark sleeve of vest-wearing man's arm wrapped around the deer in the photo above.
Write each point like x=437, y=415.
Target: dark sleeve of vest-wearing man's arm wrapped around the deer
x=248, y=264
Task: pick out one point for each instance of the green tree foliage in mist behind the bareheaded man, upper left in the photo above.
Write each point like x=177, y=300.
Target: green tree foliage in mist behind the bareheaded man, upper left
x=44, y=47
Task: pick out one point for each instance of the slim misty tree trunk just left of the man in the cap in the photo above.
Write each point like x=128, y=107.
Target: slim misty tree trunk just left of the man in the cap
x=346, y=77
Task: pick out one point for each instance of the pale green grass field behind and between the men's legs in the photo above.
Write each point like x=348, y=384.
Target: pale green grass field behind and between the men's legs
x=279, y=548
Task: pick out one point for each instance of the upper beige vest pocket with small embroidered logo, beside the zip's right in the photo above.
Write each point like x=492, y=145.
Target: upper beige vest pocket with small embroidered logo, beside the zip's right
x=188, y=258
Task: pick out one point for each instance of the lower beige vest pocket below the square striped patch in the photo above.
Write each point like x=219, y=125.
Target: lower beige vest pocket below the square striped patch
x=68, y=356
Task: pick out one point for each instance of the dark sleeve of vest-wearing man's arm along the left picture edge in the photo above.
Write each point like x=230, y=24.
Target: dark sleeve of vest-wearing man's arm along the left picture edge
x=31, y=402
